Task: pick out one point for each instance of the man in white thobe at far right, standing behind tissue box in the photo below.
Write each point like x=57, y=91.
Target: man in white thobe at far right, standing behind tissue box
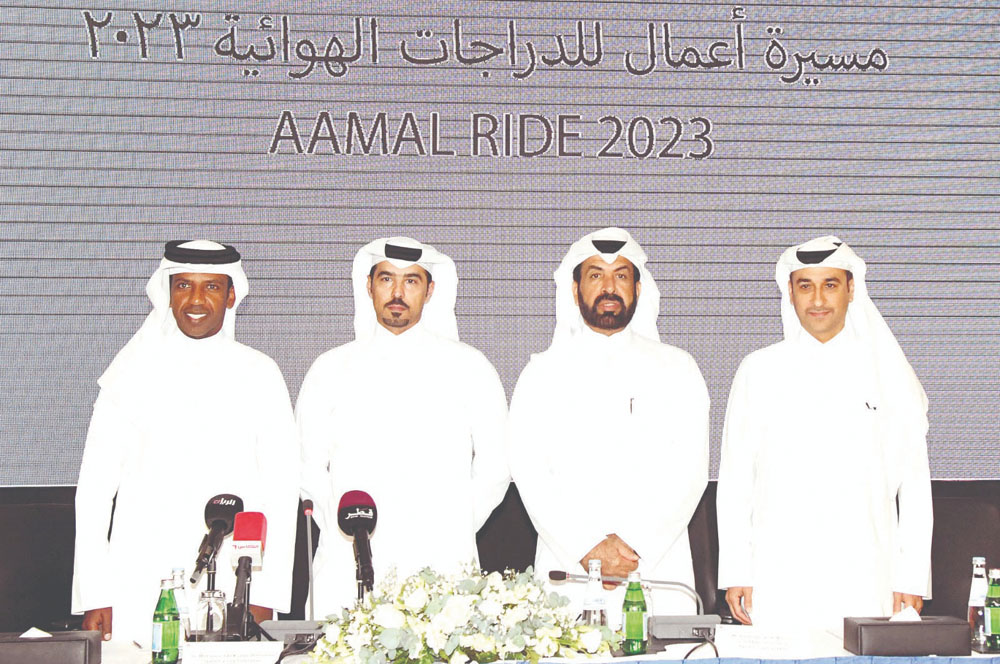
x=824, y=432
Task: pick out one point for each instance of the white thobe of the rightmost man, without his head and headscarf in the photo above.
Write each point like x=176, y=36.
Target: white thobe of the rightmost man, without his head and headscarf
x=812, y=462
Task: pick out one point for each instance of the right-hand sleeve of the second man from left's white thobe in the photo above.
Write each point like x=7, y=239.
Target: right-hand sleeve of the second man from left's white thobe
x=490, y=473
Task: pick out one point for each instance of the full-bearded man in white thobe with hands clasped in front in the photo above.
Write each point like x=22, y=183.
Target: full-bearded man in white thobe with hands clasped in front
x=608, y=429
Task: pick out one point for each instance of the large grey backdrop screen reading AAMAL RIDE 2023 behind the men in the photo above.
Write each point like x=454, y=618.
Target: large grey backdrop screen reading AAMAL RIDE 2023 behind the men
x=499, y=131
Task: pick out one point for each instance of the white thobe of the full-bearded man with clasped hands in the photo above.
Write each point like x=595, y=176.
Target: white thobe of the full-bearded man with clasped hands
x=609, y=434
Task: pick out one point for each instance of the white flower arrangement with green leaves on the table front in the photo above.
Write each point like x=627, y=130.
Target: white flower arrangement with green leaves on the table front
x=466, y=617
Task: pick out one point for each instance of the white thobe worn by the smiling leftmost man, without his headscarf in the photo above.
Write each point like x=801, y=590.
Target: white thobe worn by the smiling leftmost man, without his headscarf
x=226, y=426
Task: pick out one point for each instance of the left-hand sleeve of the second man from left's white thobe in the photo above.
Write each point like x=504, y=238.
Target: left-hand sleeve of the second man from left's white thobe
x=311, y=416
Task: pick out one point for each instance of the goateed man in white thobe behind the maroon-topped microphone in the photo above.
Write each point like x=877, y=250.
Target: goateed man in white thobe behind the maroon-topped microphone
x=406, y=413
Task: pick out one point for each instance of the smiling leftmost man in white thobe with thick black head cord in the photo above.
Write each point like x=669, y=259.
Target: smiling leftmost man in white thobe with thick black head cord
x=185, y=413
